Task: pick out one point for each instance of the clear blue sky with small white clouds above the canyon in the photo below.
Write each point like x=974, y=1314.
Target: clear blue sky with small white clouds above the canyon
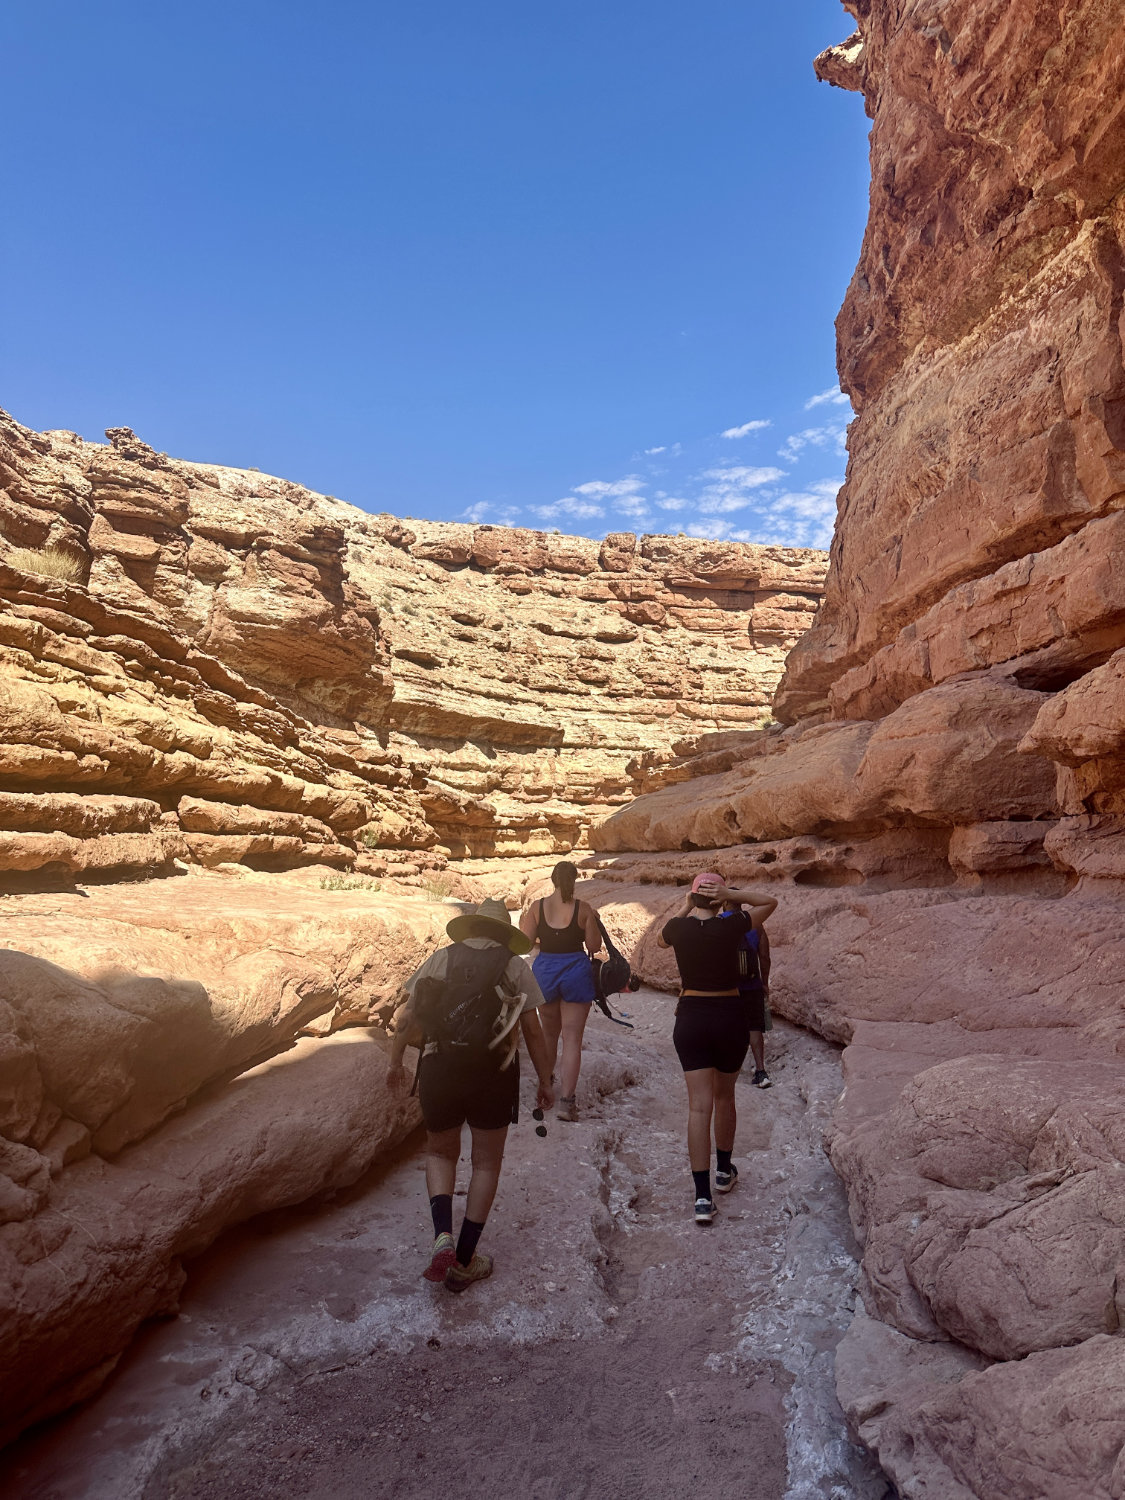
x=565, y=268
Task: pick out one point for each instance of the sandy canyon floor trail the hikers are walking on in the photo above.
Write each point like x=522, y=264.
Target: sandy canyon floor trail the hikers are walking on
x=619, y=1351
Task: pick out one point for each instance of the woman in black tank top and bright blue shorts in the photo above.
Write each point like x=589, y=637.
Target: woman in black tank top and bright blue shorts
x=568, y=937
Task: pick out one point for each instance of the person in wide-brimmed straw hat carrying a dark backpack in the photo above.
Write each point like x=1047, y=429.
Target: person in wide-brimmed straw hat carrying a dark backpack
x=467, y=1009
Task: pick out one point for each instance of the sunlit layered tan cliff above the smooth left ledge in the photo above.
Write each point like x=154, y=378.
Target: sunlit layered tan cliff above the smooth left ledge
x=242, y=671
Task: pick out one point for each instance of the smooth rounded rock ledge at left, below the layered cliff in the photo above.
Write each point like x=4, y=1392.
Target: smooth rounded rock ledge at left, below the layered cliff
x=137, y=1115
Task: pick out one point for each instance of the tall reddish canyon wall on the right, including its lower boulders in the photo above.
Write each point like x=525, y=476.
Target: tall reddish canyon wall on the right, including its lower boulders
x=943, y=815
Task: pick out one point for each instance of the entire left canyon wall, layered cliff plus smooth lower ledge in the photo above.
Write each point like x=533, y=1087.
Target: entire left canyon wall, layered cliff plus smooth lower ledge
x=250, y=737
